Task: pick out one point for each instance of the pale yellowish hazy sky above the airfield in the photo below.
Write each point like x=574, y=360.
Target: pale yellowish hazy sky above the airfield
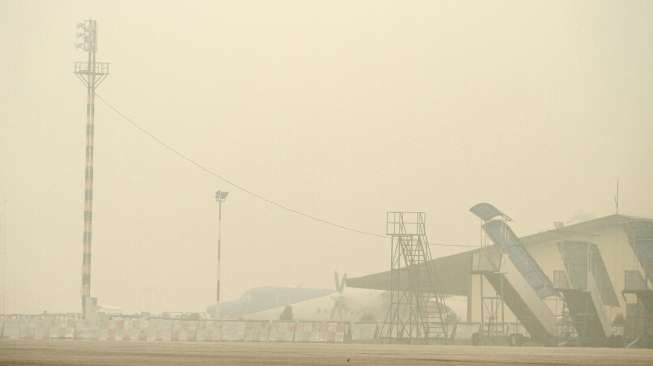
x=343, y=109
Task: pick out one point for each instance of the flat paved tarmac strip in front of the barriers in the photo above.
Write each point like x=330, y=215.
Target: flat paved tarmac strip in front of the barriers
x=69, y=352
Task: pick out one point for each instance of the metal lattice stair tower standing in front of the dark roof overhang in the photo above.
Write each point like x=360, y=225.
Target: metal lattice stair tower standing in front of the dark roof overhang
x=417, y=312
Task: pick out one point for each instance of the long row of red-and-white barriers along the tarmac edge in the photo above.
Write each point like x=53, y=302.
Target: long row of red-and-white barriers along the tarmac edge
x=166, y=330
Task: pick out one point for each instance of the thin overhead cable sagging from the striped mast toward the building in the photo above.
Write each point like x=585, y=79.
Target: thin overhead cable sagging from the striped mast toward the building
x=221, y=177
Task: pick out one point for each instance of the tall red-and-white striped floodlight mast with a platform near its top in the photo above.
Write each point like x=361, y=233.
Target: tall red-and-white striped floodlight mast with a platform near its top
x=92, y=74
